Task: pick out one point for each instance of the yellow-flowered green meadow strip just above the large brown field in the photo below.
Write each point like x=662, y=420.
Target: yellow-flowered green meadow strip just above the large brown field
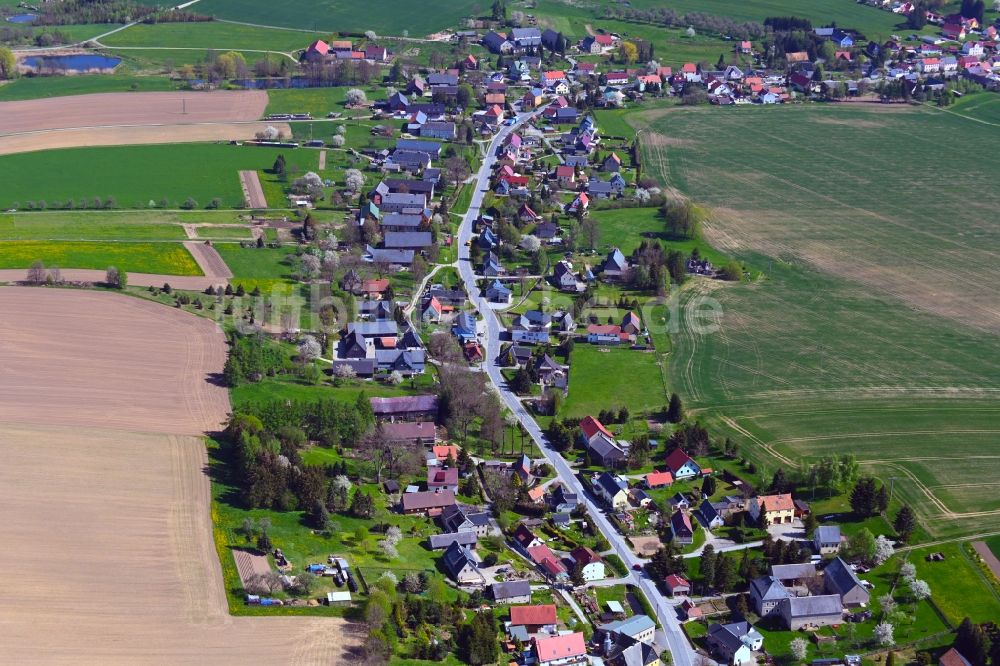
x=165, y=258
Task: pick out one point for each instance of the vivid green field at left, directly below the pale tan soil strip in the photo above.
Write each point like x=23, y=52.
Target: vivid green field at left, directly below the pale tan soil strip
x=136, y=175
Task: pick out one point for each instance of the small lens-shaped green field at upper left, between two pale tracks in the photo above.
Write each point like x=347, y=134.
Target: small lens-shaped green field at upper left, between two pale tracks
x=213, y=35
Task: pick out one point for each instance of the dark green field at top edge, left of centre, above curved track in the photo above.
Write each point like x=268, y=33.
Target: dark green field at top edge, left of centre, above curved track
x=383, y=16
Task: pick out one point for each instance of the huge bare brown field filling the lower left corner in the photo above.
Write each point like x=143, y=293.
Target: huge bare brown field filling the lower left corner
x=104, y=497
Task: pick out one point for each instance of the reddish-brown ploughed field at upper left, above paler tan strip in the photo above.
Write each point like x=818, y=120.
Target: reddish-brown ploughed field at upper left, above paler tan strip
x=113, y=109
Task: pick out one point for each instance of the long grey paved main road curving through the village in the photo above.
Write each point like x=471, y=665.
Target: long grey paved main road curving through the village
x=671, y=638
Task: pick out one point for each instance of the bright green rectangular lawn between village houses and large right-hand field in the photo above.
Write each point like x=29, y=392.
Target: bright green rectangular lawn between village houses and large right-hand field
x=605, y=378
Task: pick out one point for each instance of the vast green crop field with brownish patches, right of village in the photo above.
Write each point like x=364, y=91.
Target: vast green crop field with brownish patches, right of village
x=866, y=333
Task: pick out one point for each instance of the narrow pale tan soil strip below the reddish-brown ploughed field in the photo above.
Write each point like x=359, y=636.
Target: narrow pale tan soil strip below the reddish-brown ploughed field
x=129, y=135
